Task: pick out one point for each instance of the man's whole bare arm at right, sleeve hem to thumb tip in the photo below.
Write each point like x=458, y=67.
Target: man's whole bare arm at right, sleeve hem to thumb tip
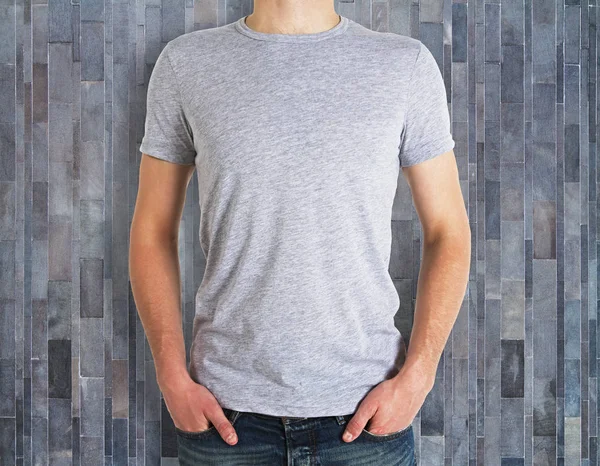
x=434, y=184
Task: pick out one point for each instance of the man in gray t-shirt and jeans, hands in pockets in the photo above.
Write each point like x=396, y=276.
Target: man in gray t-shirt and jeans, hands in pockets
x=297, y=121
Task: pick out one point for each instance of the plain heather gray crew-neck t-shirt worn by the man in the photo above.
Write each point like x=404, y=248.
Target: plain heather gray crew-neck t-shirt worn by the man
x=297, y=141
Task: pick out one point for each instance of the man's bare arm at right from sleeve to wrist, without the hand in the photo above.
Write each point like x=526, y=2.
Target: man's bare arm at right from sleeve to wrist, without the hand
x=444, y=272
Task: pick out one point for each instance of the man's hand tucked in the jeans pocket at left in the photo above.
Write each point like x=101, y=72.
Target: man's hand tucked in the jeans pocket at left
x=194, y=408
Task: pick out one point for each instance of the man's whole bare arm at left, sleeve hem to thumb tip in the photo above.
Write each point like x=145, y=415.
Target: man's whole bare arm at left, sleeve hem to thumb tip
x=156, y=285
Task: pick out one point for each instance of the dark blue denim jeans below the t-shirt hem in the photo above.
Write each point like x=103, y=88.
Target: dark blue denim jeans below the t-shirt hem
x=294, y=441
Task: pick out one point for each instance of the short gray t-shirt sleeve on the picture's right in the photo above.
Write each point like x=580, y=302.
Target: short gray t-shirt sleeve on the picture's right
x=427, y=131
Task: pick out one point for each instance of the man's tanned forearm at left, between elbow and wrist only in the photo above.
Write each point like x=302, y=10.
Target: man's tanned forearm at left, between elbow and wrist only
x=155, y=283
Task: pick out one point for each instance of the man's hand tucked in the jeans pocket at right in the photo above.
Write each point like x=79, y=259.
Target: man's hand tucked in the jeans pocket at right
x=390, y=406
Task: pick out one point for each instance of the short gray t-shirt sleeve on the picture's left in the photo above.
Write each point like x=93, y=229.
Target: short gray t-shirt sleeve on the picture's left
x=167, y=133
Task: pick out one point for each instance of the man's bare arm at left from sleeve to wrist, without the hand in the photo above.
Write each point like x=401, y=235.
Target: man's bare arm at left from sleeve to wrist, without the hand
x=154, y=262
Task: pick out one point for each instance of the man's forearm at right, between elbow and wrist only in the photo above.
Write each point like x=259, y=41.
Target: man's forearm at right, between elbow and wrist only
x=441, y=287
